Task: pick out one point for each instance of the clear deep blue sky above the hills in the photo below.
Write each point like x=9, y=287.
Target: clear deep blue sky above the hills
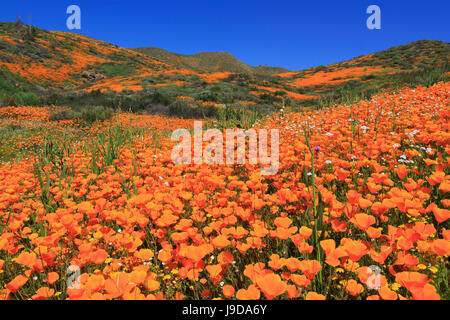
x=294, y=34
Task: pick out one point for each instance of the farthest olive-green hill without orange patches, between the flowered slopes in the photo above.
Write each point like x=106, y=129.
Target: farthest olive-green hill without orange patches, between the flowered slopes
x=208, y=61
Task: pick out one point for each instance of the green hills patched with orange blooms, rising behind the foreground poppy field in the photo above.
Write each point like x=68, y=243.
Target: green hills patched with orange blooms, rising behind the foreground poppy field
x=39, y=67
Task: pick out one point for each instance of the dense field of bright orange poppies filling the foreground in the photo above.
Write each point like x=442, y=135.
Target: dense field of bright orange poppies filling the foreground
x=359, y=208
